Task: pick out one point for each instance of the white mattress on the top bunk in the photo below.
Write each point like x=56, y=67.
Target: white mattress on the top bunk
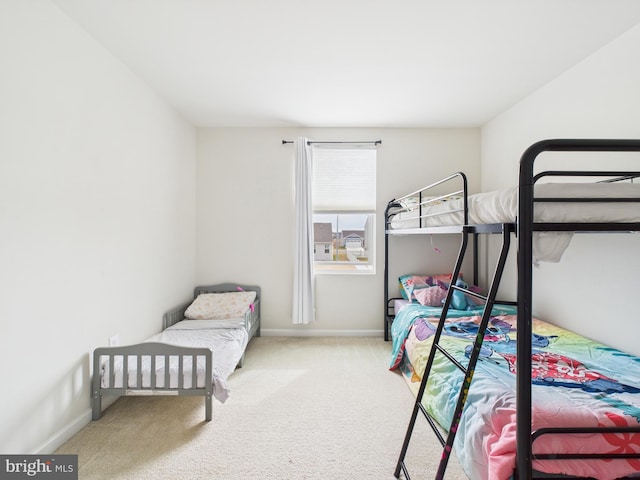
x=501, y=206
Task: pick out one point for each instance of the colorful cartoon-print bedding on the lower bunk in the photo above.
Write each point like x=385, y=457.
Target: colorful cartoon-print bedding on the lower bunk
x=576, y=382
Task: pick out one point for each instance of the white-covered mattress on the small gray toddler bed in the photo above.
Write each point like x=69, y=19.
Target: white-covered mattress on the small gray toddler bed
x=227, y=338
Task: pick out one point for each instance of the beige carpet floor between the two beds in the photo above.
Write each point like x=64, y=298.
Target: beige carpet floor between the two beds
x=300, y=408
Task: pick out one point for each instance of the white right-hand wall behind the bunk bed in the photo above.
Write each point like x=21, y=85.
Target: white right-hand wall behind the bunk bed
x=598, y=98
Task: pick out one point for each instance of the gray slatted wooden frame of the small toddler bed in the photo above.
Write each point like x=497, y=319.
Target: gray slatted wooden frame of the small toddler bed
x=154, y=351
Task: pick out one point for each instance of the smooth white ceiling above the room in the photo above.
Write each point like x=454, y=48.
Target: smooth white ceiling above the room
x=349, y=63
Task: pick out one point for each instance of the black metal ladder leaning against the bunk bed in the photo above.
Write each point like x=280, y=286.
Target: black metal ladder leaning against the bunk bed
x=436, y=348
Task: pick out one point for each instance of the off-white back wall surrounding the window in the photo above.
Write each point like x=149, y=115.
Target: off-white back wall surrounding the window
x=245, y=217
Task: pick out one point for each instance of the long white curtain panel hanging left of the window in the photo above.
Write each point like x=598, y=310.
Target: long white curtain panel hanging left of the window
x=303, y=279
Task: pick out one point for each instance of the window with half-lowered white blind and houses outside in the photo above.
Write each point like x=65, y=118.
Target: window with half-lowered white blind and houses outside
x=344, y=198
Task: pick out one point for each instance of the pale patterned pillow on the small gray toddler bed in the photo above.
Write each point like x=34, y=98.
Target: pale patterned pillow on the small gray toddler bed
x=220, y=305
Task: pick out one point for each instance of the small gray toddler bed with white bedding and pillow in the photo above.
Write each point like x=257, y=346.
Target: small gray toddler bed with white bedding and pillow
x=202, y=343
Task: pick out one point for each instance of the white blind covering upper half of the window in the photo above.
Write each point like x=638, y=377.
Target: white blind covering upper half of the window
x=344, y=178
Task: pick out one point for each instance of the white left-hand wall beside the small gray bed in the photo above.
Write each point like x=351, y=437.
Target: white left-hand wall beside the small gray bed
x=97, y=218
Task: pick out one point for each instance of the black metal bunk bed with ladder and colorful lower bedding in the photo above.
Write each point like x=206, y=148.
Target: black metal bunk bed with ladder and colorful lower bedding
x=594, y=434
